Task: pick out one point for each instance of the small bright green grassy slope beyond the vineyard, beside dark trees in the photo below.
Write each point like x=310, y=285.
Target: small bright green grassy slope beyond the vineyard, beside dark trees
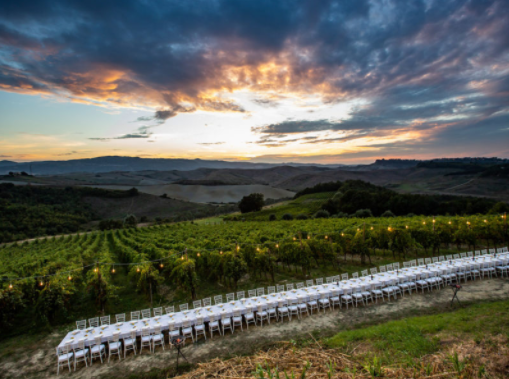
x=307, y=204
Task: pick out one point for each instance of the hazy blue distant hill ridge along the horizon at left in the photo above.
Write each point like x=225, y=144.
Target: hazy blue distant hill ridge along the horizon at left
x=116, y=163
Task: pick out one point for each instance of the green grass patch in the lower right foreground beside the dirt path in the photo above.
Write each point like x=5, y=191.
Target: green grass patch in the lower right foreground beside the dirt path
x=415, y=337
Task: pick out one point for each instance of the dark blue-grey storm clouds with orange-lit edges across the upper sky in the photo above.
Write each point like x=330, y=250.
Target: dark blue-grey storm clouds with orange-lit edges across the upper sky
x=434, y=68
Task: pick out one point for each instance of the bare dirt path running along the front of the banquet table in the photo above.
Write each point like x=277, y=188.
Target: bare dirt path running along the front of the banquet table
x=39, y=361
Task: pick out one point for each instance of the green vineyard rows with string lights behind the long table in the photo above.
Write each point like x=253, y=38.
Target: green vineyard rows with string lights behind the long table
x=57, y=280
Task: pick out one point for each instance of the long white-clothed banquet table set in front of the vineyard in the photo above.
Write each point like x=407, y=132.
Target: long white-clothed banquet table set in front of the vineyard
x=253, y=304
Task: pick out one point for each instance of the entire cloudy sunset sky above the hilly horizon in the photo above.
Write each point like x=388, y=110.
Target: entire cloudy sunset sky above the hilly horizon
x=266, y=81
